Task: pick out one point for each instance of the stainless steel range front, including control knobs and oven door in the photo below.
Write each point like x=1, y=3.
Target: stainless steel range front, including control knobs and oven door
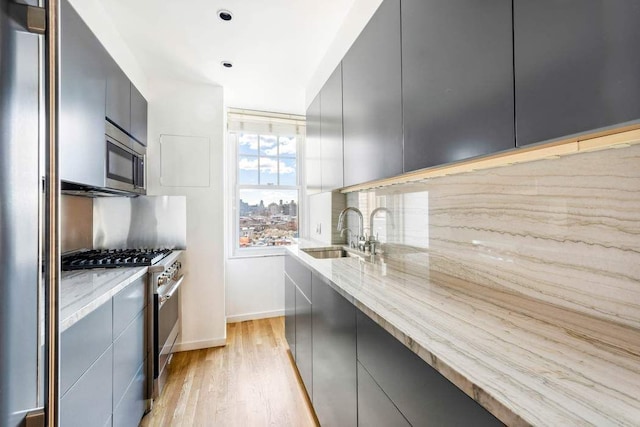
x=166, y=278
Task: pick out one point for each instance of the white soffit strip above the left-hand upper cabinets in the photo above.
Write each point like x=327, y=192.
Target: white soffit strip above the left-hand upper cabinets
x=95, y=16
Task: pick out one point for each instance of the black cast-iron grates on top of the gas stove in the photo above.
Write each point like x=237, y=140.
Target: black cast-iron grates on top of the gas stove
x=112, y=258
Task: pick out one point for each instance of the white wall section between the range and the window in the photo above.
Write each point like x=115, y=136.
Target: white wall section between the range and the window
x=188, y=109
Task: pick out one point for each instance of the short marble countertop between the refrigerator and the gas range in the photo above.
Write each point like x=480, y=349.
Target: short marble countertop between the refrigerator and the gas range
x=83, y=291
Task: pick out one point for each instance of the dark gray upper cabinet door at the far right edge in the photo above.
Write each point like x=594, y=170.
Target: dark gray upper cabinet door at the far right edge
x=577, y=64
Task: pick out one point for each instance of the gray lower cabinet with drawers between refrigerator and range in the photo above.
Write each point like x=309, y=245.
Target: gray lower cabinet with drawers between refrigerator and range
x=103, y=362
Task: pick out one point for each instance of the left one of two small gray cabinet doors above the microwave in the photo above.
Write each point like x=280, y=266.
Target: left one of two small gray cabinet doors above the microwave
x=118, y=109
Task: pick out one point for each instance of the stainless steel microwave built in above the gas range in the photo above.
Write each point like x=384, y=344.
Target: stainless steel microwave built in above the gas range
x=125, y=164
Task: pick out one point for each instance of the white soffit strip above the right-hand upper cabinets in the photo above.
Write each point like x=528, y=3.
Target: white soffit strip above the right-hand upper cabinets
x=355, y=21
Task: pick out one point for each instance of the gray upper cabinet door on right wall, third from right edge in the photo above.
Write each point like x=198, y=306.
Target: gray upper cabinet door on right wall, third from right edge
x=372, y=104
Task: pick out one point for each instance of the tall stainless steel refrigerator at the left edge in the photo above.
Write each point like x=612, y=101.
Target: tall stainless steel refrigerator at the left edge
x=22, y=201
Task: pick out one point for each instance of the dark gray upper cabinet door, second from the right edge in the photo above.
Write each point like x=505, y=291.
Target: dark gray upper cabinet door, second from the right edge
x=457, y=80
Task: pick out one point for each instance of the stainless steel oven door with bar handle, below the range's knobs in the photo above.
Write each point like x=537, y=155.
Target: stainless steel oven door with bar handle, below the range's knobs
x=166, y=331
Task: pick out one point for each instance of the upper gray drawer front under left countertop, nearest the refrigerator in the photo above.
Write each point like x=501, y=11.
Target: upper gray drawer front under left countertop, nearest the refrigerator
x=83, y=343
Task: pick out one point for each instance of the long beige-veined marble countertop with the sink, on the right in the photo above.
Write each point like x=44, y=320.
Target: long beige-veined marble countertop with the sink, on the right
x=527, y=362
